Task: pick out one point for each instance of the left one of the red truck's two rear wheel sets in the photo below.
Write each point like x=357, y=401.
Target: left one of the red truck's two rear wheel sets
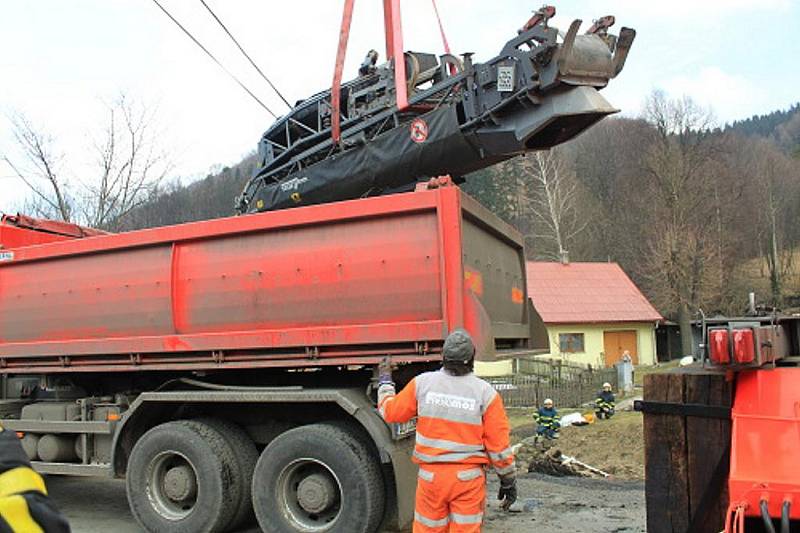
x=181, y=478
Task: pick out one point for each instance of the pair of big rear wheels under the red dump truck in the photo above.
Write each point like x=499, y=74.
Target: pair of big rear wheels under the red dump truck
x=205, y=475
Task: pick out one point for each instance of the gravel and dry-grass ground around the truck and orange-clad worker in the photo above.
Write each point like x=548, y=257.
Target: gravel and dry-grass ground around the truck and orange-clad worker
x=546, y=504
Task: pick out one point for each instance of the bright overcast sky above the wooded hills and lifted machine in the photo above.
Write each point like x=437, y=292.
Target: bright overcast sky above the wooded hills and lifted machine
x=60, y=61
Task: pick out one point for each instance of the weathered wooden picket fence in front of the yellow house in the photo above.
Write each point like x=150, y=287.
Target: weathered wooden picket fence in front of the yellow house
x=568, y=385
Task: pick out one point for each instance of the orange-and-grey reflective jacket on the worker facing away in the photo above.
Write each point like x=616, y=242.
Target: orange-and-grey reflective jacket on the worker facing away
x=461, y=419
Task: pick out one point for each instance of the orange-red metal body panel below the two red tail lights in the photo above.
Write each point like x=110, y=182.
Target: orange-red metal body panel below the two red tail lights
x=765, y=444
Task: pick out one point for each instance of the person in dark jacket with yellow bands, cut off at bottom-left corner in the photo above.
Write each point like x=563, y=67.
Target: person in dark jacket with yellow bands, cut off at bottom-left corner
x=24, y=505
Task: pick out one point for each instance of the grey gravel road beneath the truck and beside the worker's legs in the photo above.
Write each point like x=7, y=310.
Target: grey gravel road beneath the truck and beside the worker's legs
x=547, y=505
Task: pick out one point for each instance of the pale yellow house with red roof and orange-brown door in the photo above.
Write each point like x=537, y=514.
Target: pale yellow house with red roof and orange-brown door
x=593, y=312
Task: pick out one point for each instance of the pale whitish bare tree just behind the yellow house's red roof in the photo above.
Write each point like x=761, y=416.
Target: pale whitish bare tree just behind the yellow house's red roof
x=549, y=196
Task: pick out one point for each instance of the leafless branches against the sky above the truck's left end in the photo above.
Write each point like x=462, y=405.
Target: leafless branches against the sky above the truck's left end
x=128, y=159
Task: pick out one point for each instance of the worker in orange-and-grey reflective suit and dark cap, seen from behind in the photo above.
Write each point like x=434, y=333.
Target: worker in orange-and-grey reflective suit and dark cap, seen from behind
x=461, y=428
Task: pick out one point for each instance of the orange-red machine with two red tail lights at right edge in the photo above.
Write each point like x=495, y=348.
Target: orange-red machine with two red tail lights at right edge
x=764, y=474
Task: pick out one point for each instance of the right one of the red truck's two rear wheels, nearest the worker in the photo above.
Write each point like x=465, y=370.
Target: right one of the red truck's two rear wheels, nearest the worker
x=318, y=478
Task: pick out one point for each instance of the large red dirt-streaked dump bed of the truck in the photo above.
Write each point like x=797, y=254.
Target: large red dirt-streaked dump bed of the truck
x=340, y=283
